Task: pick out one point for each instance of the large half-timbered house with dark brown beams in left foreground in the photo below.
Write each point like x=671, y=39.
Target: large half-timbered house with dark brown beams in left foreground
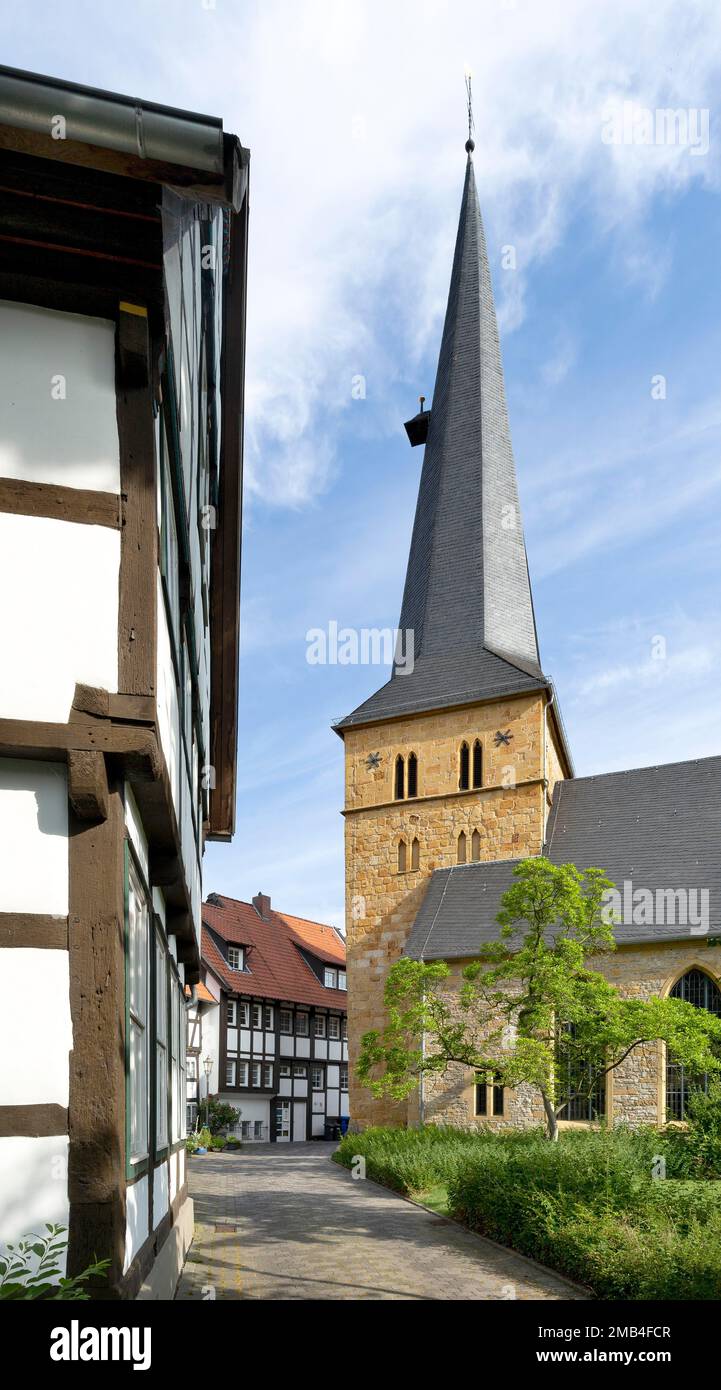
x=122, y=340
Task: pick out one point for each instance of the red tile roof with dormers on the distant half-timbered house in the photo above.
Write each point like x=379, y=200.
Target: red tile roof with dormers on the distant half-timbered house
x=276, y=965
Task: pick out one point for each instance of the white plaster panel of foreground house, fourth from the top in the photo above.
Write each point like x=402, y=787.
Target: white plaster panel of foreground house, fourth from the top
x=35, y=1039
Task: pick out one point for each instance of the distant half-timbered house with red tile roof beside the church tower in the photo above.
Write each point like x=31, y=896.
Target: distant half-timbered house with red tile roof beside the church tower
x=276, y=1040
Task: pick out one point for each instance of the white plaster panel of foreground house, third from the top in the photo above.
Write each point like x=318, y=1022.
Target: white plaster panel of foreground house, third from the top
x=34, y=836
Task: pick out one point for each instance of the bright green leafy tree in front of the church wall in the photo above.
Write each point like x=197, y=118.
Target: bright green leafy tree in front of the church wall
x=530, y=1010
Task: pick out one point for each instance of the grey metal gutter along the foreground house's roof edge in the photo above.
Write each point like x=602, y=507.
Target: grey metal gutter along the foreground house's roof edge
x=116, y=123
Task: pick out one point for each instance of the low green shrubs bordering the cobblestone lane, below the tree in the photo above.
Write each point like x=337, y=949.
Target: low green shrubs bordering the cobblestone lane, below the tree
x=587, y=1206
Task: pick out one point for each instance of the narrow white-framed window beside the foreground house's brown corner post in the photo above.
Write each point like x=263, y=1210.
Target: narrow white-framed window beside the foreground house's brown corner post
x=138, y=1007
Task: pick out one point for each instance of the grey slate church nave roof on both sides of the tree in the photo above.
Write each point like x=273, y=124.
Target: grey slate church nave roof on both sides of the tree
x=654, y=828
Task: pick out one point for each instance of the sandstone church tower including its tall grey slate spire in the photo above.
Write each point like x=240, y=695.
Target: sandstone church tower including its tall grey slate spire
x=455, y=760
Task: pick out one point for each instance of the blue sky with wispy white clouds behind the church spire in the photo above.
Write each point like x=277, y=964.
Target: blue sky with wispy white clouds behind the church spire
x=355, y=116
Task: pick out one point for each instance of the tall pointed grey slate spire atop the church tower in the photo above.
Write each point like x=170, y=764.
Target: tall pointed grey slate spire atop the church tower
x=467, y=598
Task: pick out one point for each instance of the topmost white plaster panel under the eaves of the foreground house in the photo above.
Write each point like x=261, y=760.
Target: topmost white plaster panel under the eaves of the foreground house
x=72, y=441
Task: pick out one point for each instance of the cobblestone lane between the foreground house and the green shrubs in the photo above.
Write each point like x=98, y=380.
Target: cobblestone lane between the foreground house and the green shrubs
x=306, y=1229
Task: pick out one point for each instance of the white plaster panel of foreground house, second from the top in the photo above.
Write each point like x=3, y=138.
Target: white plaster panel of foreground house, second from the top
x=59, y=622
